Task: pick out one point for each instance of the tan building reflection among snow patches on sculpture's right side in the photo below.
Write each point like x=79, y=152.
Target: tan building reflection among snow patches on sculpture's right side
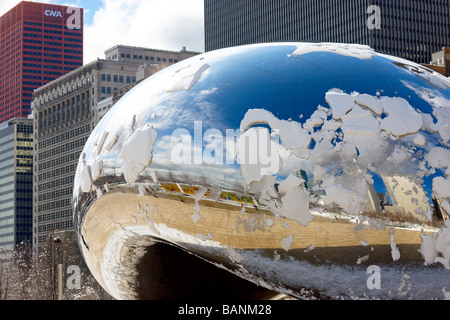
x=406, y=196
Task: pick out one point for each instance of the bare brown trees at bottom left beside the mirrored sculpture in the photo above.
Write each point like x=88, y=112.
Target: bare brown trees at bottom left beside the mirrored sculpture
x=27, y=277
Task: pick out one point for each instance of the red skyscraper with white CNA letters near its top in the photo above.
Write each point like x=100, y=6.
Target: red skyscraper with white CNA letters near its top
x=38, y=43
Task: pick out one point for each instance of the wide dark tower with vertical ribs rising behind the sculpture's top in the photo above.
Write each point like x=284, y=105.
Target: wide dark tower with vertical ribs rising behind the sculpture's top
x=411, y=29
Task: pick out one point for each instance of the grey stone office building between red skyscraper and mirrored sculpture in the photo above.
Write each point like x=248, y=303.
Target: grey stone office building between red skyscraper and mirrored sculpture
x=65, y=111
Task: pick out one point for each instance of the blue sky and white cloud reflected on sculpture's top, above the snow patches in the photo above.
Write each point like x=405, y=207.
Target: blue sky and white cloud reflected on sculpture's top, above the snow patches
x=268, y=78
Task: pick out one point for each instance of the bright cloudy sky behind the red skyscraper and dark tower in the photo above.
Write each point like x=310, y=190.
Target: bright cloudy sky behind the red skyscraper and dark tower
x=156, y=24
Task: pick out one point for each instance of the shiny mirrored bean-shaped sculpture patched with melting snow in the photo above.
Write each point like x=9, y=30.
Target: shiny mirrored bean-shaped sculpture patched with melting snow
x=313, y=170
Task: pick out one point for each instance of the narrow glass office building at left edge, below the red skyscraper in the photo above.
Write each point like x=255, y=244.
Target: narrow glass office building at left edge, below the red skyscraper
x=16, y=175
